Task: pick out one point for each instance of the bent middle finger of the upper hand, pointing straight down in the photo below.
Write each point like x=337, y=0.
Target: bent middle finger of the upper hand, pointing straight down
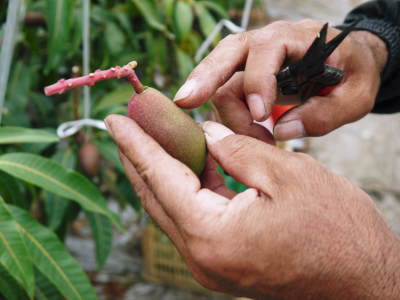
x=260, y=84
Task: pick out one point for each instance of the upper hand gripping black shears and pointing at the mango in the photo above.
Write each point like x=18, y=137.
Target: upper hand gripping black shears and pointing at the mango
x=261, y=54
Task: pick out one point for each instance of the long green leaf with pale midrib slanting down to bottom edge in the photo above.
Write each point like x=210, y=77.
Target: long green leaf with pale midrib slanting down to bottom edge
x=52, y=259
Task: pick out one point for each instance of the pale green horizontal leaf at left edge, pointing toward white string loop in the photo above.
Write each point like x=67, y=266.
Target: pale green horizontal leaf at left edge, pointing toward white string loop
x=12, y=135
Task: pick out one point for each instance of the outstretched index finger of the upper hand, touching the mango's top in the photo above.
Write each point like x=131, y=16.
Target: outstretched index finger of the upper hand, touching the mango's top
x=213, y=71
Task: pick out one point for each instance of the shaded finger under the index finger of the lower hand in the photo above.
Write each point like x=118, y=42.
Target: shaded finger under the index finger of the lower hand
x=150, y=204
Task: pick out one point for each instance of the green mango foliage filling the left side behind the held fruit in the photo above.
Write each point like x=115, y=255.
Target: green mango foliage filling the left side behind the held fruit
x=163, y=36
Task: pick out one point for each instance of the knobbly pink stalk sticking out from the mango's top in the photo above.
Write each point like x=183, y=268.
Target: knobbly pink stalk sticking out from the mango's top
x=117, y=72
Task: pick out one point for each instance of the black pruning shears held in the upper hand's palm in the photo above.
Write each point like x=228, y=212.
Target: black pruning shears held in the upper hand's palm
x=311, y=76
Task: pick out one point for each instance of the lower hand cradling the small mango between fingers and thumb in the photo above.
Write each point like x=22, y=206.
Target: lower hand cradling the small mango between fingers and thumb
x=297, y=232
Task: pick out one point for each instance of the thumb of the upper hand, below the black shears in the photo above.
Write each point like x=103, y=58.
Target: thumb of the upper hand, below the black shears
x=321, y=114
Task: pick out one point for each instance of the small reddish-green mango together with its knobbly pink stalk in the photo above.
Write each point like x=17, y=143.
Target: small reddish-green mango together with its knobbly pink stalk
x=171, y=127
